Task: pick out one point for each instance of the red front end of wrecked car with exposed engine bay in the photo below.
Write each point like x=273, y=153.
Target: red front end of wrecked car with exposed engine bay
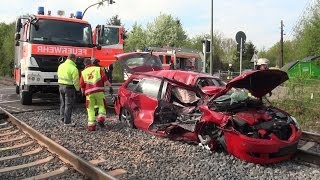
x=272, y=137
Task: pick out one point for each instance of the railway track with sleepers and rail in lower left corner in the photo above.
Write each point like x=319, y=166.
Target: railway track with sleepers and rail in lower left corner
x=27, y=154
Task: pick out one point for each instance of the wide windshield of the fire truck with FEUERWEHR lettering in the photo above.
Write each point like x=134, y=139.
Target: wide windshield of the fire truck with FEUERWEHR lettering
x=48, y=31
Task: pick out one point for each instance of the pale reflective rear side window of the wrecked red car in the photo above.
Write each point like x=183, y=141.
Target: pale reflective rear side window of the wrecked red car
x=149, y=87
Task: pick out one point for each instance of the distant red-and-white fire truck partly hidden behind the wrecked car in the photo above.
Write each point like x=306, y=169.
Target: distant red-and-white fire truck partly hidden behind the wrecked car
x=178, y=58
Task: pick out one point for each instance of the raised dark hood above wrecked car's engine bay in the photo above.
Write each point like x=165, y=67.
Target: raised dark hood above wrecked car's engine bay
x=258, y=83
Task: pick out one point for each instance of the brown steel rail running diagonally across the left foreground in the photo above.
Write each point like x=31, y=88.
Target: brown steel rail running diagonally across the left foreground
x=65, y=155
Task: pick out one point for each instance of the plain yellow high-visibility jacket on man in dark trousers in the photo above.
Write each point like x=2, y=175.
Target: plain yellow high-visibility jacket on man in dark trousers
x=68, y=74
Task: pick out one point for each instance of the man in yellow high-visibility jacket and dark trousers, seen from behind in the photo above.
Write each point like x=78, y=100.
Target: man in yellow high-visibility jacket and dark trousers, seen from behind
x=68, y=79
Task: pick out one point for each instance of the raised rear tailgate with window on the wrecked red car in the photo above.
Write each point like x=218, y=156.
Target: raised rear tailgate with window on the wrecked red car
x=139, y=62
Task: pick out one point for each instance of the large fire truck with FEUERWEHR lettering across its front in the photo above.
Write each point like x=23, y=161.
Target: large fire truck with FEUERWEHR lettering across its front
x=42, y=41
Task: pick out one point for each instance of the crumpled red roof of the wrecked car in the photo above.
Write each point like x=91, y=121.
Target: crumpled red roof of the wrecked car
x=186, y=77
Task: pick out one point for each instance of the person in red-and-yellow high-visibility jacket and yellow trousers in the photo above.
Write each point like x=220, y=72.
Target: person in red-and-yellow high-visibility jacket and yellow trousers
x=92, y=83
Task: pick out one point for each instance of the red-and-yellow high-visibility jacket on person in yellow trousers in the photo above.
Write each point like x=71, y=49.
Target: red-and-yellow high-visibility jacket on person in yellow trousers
x=92, y=80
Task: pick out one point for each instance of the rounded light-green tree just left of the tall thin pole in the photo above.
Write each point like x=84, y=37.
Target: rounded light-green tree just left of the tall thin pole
x=166, y=31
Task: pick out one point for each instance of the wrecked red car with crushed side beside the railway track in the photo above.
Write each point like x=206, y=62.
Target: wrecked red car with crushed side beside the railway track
x=176, y=106
